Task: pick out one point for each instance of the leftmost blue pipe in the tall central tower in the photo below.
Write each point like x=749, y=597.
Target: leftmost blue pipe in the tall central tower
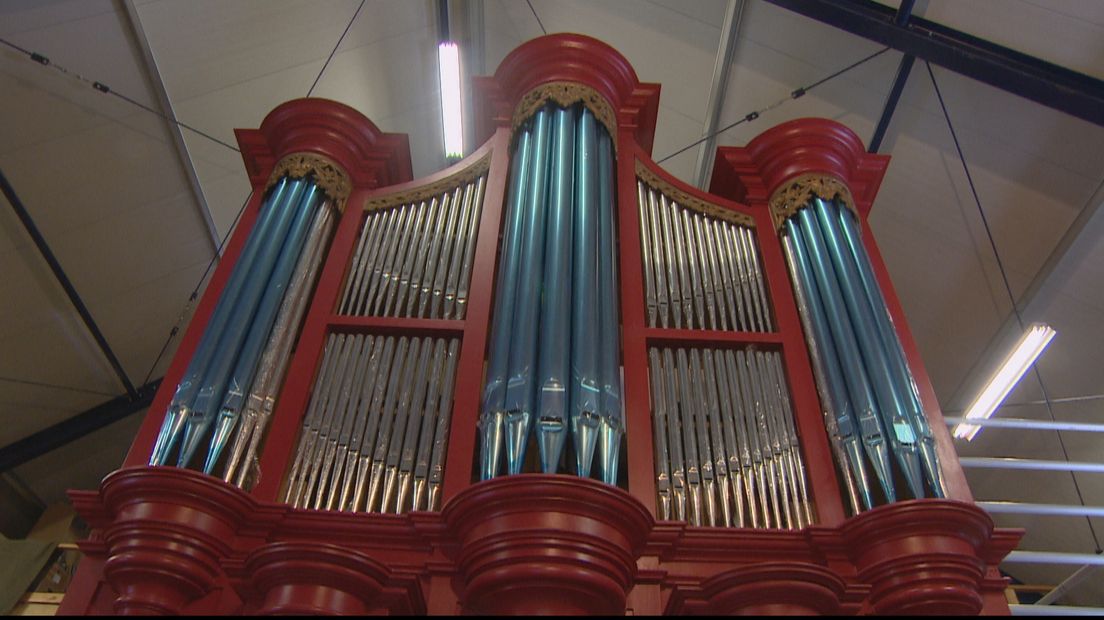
x=494, y=400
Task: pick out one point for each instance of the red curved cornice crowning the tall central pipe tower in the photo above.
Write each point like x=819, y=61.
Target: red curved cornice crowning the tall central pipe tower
x=567, y=58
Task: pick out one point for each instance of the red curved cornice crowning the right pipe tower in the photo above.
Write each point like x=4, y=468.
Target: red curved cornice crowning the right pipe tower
x=751, y=174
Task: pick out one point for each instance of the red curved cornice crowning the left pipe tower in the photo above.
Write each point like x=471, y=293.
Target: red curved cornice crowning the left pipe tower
x=373, y=159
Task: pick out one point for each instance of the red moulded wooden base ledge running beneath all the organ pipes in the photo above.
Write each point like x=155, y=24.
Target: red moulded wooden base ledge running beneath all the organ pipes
x=174, y=541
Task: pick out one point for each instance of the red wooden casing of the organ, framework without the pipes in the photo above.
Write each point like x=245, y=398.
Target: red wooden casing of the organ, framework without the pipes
x=171, y=540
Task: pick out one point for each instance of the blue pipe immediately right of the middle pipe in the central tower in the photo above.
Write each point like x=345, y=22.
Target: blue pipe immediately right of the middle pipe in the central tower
x=586, y=388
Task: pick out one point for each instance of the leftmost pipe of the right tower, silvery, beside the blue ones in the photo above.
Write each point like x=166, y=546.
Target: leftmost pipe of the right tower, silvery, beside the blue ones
x=841, y=402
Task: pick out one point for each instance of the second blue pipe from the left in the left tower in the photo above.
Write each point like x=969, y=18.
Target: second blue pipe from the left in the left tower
x=215, y=382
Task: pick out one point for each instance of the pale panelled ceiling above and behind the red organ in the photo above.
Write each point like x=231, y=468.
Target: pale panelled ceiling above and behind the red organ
x=135, y=208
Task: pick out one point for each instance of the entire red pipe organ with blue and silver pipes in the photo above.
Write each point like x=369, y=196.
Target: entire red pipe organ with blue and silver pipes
x=551, y=379
